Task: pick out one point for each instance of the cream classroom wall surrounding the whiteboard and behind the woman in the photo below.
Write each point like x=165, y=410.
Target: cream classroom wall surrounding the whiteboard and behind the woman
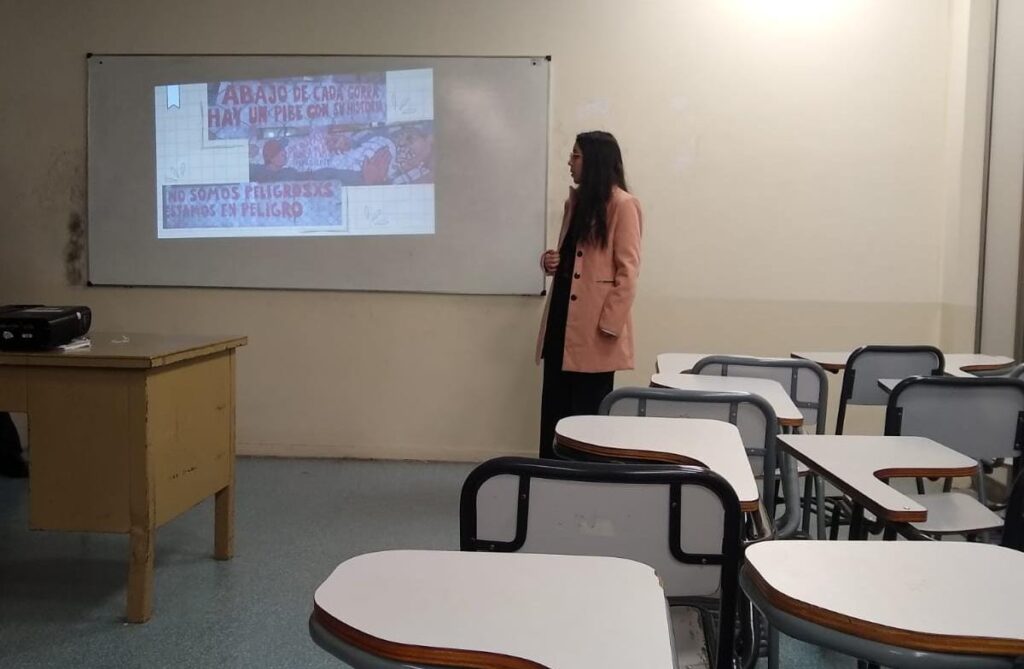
x=794, y=160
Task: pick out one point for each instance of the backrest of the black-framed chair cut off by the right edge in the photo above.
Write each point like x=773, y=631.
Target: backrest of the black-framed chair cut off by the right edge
x=983, y=419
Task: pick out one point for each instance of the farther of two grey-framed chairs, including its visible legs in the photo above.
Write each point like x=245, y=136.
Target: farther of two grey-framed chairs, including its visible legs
x=806, y=384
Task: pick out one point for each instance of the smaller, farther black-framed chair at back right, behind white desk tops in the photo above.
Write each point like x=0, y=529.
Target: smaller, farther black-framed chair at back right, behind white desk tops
x=869, y=364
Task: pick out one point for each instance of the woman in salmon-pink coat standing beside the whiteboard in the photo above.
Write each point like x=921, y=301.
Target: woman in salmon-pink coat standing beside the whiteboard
x=587, y=330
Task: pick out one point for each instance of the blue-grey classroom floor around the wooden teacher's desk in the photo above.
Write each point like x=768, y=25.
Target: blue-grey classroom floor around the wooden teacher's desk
x=63, y=595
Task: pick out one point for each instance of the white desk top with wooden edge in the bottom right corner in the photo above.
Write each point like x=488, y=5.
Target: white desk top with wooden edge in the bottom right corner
x=942, y=597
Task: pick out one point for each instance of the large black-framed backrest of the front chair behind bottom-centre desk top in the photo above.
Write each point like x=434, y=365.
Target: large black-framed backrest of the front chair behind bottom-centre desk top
x=684, y=522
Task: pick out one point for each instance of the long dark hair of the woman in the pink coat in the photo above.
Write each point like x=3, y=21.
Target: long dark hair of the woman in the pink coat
x=603, y=170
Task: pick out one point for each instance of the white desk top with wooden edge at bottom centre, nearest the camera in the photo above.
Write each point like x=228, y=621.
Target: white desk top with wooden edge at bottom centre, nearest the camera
x=561, y=611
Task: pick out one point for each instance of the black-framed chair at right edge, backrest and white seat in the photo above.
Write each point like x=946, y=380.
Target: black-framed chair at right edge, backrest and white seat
x=983, y=419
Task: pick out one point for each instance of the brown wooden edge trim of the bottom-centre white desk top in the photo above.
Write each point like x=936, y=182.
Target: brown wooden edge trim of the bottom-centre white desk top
x=421, y=654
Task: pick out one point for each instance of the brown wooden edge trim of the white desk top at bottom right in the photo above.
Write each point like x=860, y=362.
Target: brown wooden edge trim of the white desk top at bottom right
x=915, y=641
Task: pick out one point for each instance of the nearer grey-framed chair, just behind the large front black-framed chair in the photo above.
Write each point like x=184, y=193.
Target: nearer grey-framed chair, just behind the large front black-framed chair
x=750, y=413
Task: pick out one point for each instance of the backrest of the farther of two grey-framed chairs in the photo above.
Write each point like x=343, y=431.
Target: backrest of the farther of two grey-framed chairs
x=804, y=381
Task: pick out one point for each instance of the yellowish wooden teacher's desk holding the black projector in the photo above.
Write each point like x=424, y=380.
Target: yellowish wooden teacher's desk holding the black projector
x=126, y=436
